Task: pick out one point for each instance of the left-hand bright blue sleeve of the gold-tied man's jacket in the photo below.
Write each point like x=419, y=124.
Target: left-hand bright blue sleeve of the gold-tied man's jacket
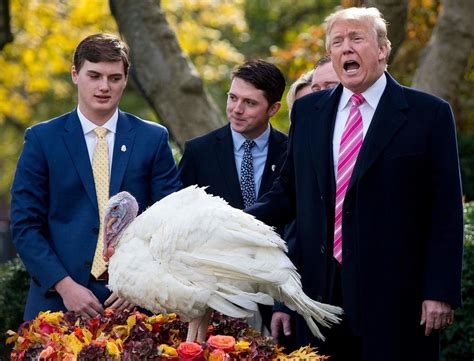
x=29, y=215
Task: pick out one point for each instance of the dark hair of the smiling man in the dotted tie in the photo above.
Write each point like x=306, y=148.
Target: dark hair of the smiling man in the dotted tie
x=264, y=76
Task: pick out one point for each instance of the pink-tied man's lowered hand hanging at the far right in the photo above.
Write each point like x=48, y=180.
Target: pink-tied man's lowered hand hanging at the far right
x=435, y=315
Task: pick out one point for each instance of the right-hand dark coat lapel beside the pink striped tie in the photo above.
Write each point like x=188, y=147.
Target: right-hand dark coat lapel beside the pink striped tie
x=387, y=120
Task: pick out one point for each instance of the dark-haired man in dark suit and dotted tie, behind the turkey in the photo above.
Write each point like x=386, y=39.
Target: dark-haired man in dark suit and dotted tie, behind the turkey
x=216, y=159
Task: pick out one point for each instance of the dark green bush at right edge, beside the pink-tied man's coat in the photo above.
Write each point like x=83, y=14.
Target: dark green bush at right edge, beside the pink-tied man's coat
x=458, y=339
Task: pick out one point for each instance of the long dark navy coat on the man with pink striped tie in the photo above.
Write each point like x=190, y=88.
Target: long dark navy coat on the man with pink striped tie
x=402, y=220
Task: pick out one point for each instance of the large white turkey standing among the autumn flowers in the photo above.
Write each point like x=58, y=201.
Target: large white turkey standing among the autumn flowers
x=192, y=252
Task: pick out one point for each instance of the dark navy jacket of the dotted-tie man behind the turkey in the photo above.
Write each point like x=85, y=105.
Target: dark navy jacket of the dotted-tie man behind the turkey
x=209, y=161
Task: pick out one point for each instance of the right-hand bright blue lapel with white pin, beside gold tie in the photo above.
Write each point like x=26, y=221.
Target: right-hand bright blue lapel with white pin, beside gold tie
x=123, y=146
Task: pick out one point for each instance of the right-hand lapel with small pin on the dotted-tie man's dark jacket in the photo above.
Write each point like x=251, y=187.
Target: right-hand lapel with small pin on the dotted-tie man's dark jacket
x=276, y=150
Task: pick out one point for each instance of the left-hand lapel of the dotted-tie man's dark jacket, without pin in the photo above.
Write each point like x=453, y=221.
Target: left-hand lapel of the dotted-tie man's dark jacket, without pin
x=224, y=148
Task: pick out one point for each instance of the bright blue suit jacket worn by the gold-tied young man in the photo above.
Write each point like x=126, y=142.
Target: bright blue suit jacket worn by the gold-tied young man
x=54, y=212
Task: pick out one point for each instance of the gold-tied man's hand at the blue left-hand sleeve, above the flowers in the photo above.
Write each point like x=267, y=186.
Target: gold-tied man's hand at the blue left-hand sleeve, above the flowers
x=78, y=298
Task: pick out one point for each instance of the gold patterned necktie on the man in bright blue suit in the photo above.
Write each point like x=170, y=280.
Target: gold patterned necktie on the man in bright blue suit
x=100, y=169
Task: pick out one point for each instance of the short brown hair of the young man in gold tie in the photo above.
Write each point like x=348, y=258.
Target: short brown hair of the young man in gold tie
x=101, y=47
